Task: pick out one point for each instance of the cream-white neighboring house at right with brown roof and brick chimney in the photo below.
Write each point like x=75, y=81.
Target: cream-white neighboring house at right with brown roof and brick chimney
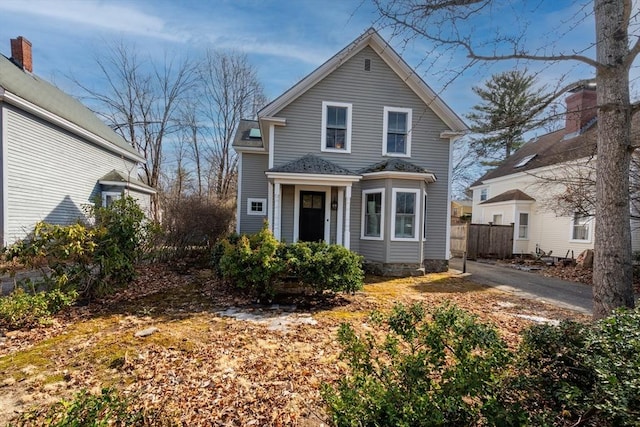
x=531, y=187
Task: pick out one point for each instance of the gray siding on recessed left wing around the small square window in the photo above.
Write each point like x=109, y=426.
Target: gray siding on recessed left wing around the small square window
x=254, y=185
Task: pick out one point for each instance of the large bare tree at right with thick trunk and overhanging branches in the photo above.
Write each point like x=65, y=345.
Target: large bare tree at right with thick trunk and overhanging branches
x=447, y=23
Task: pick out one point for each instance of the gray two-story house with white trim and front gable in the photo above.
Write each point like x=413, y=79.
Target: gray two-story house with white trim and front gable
x=357, y=153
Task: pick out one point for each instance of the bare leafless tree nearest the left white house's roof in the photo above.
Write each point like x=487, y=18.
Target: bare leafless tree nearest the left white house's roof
x=139, y=101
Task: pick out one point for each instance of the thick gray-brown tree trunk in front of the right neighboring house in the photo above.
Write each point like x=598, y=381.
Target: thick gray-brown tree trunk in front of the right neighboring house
x=612, y=270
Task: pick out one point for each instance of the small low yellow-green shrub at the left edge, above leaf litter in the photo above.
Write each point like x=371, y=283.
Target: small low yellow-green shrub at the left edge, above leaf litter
x=21, y=309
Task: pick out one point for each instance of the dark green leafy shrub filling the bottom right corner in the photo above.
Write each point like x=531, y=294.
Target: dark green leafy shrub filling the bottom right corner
x=582, y=373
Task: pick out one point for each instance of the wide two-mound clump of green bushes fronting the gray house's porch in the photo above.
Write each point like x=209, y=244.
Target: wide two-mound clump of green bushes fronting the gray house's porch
x=260, y=262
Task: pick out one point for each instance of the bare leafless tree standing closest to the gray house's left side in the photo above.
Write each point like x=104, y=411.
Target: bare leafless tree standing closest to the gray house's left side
x=230, y=91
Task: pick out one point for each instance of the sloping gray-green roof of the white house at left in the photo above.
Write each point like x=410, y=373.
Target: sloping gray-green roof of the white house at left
x=46, y=100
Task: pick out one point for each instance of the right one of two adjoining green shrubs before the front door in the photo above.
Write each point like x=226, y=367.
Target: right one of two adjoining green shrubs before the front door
x=322, y=266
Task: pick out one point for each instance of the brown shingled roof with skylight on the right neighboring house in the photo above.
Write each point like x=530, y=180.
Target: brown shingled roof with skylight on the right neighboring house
x=550, y=149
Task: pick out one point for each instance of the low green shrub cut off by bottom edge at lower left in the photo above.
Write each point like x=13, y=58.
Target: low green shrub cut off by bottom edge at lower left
x=87, y=410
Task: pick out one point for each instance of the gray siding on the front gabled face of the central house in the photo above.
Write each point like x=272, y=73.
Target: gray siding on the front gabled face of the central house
x=369, y=92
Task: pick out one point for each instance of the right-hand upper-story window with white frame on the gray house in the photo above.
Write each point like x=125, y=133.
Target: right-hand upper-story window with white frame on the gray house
x=396, y=139
